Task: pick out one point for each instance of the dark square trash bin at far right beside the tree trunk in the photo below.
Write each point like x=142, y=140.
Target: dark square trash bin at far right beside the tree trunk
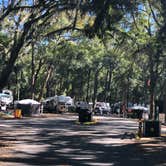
x=151, y=128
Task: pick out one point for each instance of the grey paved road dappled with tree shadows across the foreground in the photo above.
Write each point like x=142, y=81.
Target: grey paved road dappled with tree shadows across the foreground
x=59, y=141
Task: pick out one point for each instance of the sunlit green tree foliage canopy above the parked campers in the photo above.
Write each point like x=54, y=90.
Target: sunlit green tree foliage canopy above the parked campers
x=111, y=43
